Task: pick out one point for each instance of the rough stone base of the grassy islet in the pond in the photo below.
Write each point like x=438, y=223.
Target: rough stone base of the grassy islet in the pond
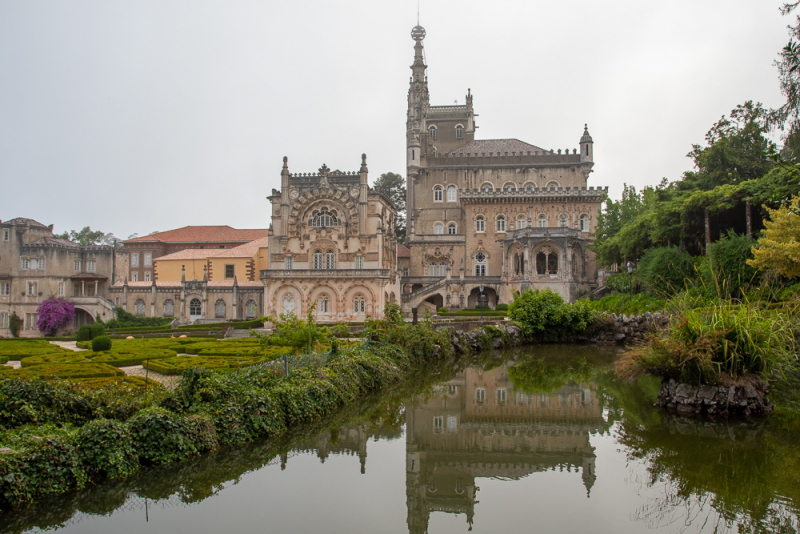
x=748, y=396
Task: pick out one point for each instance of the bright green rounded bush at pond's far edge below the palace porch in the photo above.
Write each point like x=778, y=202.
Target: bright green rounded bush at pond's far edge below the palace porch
x=544, y=316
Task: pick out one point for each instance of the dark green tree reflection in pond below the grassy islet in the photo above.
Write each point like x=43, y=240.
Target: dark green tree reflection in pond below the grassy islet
x=724, y=476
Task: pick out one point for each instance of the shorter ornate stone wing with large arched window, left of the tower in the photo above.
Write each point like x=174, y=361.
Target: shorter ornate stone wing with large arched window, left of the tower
x=332, y=245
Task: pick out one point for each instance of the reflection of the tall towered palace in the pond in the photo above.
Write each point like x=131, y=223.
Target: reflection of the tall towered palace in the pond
x=477, y=425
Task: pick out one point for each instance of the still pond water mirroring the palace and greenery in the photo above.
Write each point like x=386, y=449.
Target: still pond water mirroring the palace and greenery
x=538, y=440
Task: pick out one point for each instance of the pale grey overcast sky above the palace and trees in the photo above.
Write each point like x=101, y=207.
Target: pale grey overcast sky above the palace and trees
x=151, y=115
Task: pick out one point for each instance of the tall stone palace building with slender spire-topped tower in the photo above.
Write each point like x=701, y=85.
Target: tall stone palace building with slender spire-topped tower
x=498, y=213
